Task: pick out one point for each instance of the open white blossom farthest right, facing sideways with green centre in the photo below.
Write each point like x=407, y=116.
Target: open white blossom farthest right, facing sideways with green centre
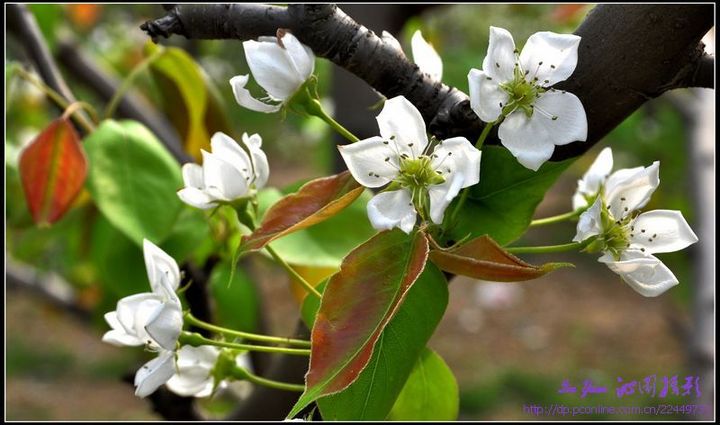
x=628, y=240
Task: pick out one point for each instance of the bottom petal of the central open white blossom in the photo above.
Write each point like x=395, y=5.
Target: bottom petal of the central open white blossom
x=387, y=210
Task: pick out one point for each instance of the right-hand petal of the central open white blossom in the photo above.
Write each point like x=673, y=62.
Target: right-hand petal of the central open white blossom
x=458, y=155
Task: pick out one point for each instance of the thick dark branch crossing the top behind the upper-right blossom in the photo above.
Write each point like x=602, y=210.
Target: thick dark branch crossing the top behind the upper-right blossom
x=629, y=53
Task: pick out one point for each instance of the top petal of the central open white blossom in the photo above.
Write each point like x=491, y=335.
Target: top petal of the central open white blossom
x=400, y=119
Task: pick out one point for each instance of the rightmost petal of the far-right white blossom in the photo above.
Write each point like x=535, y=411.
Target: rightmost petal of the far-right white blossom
x=662, y=231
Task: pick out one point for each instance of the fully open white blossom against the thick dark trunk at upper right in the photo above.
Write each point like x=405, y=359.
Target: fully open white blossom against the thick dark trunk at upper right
x=517, y=89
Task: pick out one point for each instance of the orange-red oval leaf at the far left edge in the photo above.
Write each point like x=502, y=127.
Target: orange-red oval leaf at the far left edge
x=53, y=168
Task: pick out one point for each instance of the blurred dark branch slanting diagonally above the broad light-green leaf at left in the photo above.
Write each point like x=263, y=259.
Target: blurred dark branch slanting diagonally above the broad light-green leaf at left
x=131, y=106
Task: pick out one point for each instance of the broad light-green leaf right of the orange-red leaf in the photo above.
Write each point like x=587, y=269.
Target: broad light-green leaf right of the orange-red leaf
x=133, y=180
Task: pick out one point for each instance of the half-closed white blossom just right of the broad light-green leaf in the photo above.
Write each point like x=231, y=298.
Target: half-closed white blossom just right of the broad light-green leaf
x=228, y=173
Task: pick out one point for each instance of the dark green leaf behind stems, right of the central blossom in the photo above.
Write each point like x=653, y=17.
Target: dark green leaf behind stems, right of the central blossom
x=502, y=204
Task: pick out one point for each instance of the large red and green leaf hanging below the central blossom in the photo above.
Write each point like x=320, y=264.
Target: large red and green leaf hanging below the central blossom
x=357, y=304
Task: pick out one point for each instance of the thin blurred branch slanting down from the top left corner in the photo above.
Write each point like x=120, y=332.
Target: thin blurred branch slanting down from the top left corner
x=24, y=27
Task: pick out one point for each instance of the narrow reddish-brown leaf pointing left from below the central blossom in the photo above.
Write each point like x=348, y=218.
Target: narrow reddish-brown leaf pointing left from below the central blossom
x=316, y=201
